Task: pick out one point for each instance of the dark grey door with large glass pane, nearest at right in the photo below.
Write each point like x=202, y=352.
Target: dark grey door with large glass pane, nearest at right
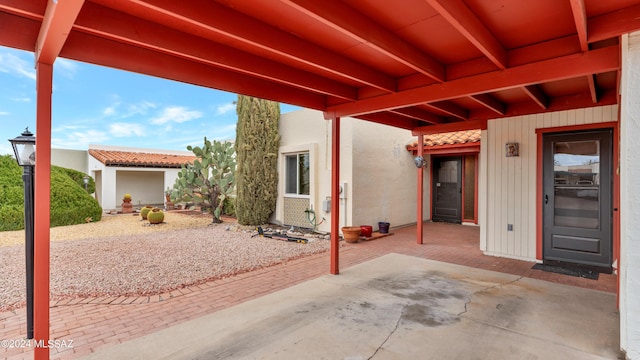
x=577, y=198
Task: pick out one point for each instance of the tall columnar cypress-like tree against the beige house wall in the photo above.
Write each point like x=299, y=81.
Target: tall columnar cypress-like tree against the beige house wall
x=257, y=146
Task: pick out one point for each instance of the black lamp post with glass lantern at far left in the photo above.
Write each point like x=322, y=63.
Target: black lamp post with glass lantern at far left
x=25, y=151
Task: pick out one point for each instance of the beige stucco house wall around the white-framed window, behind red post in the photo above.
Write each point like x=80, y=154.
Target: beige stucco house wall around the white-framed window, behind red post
x=373, y=154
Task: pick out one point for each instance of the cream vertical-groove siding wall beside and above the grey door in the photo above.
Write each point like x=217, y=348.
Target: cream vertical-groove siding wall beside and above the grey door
x=510, y=184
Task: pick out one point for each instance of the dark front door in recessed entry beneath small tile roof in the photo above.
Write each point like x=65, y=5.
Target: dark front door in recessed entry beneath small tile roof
x=447, y=189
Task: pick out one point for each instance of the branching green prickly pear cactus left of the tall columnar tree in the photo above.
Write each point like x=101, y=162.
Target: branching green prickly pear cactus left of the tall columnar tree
x=210, y=179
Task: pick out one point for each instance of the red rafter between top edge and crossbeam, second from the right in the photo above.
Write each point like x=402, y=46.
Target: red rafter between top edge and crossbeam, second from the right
x=458, y=14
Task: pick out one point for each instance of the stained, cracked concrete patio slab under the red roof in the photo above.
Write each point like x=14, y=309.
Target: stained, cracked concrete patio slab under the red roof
x=398, y=307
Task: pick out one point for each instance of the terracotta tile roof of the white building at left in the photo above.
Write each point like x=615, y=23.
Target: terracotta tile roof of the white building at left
x=138, y=159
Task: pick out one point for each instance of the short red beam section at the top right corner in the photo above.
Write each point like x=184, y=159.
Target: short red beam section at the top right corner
x=614, y=24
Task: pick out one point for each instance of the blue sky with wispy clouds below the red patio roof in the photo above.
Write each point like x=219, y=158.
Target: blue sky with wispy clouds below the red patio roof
x=99, y=105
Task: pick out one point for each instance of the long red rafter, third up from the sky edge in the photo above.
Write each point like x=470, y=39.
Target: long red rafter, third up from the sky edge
x=210, y=20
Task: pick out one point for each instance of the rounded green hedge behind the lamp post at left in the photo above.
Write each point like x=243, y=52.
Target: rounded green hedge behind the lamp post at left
x=70, y=203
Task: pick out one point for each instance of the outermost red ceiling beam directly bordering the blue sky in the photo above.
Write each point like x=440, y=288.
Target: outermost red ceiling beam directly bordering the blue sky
x=96, y=50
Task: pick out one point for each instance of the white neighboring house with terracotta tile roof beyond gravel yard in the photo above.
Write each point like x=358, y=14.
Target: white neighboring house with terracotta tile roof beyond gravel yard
x=143, y=173
